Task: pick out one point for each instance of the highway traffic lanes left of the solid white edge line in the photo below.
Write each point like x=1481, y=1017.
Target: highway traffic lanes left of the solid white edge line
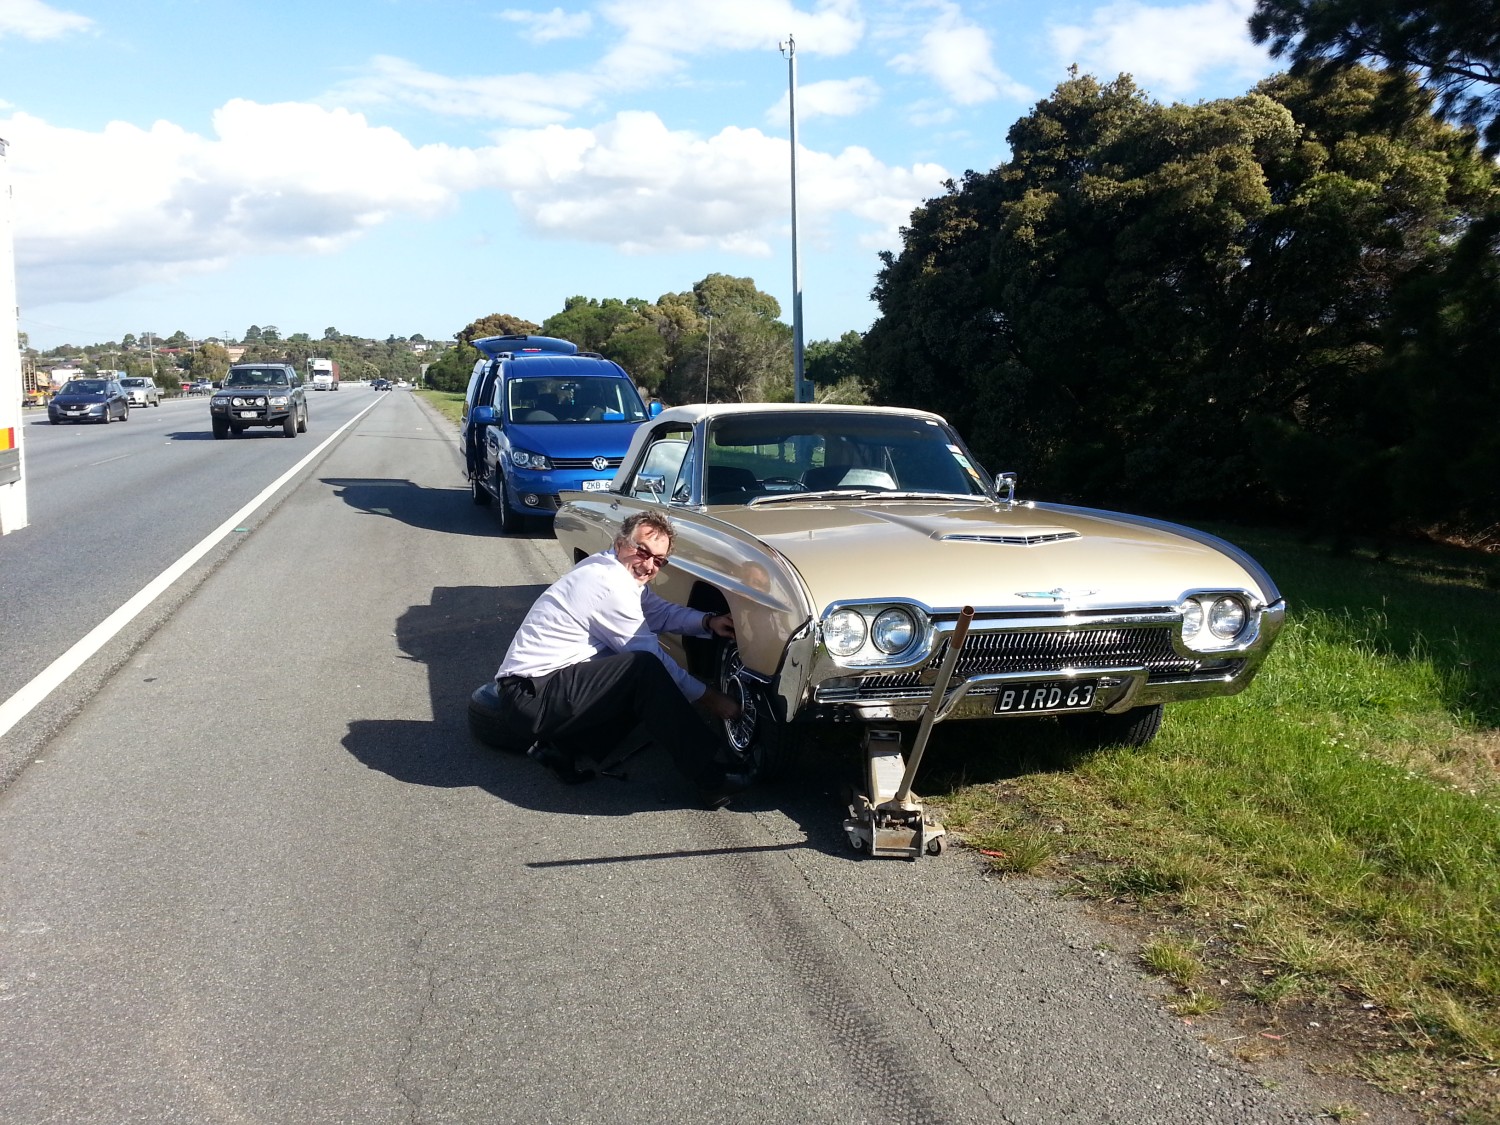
x=110, y=508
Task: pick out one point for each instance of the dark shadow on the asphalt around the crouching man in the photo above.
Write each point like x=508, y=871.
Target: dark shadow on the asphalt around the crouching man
x=460, y=637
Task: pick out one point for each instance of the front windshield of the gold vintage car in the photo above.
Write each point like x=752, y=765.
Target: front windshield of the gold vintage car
x=766, y=457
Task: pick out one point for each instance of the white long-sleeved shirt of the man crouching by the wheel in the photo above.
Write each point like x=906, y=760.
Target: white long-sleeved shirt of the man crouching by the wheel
x=599, y=610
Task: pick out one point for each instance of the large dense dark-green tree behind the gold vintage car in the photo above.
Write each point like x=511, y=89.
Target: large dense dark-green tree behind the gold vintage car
x=1181, y=307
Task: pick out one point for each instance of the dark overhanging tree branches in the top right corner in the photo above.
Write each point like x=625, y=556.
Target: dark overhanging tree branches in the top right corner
x=1454, y=46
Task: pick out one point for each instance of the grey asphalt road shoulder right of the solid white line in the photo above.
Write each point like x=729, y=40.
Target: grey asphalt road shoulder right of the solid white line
x=262, y=874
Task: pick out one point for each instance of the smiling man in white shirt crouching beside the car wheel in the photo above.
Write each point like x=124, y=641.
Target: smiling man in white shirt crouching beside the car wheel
x=587, y=665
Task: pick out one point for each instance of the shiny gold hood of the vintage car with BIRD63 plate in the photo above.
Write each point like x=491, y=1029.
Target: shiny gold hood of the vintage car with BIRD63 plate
x=947, y=556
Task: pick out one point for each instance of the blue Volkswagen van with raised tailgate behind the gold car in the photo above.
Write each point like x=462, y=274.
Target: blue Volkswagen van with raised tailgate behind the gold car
x=541, y=416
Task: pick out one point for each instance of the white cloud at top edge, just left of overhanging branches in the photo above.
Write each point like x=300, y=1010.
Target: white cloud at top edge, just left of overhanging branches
x=1168, y=50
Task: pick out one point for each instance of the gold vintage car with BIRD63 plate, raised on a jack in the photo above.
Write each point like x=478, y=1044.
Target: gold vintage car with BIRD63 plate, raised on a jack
x=847, y=541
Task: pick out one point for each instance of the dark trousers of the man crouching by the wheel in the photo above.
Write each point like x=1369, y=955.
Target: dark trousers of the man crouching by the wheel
x=589, y=707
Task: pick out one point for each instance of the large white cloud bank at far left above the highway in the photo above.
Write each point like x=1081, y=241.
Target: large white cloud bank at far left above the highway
x=275, y=179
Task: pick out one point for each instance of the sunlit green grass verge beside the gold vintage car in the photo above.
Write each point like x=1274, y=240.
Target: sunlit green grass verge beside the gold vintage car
x=1337, y=826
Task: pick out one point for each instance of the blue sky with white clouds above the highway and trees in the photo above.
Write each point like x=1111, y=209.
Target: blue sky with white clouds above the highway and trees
x=403, y=167
